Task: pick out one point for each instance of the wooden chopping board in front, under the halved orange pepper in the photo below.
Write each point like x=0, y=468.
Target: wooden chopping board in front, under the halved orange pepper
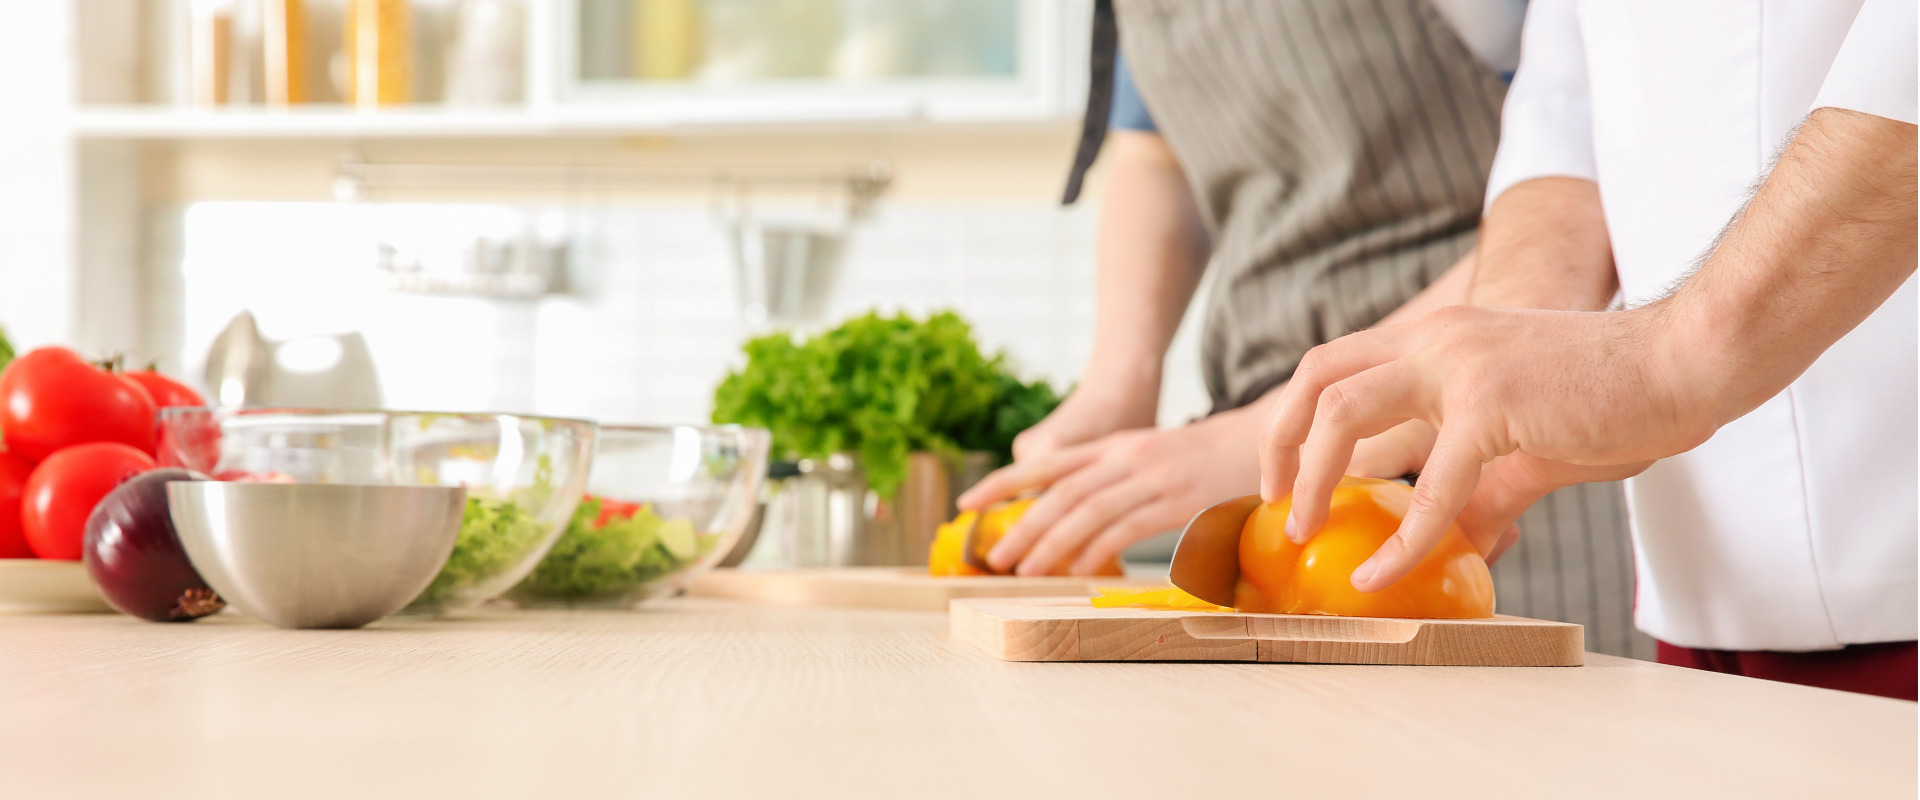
x=1070, y=630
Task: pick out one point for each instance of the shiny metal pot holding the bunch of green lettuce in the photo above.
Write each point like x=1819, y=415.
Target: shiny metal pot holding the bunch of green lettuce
x=821, y=513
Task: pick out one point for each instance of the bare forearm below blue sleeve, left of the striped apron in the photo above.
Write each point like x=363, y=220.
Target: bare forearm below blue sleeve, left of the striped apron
x=1151, y=254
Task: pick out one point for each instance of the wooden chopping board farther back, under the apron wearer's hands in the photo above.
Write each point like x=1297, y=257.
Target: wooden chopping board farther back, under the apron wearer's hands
x=909, y=588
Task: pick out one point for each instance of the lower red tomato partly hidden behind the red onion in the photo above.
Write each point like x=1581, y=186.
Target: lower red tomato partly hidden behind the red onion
x=66, y=488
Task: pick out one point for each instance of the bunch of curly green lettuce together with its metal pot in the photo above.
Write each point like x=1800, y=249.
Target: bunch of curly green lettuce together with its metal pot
x=884, y=421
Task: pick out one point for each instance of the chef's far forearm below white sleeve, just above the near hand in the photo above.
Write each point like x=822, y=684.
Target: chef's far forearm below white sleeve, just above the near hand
x=1545, y=247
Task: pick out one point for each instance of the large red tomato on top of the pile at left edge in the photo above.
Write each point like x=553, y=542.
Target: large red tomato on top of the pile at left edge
x=53, y=398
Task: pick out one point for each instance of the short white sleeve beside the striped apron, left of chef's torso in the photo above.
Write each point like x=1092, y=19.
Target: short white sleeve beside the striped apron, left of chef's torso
x=1547, y=126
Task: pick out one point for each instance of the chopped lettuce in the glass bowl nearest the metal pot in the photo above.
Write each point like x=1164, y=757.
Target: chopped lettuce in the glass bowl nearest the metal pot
x=608, y=561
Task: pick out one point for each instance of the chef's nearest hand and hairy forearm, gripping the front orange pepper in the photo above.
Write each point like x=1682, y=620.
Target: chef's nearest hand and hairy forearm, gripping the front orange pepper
x=1533, y=400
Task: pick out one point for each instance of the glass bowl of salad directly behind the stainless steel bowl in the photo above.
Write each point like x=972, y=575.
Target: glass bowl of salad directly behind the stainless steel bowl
x=523, y=475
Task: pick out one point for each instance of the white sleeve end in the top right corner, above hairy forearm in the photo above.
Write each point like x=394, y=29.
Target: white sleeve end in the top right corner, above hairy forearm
x=1875, y=68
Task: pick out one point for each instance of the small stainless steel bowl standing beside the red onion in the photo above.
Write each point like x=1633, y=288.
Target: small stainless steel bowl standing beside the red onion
x=318, y=555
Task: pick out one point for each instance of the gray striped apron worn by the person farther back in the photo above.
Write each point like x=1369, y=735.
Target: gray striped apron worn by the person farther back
x=1339, y=154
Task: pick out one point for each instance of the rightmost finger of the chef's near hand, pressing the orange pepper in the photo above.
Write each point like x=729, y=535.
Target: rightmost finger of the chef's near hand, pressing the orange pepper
x=1443, y=492
